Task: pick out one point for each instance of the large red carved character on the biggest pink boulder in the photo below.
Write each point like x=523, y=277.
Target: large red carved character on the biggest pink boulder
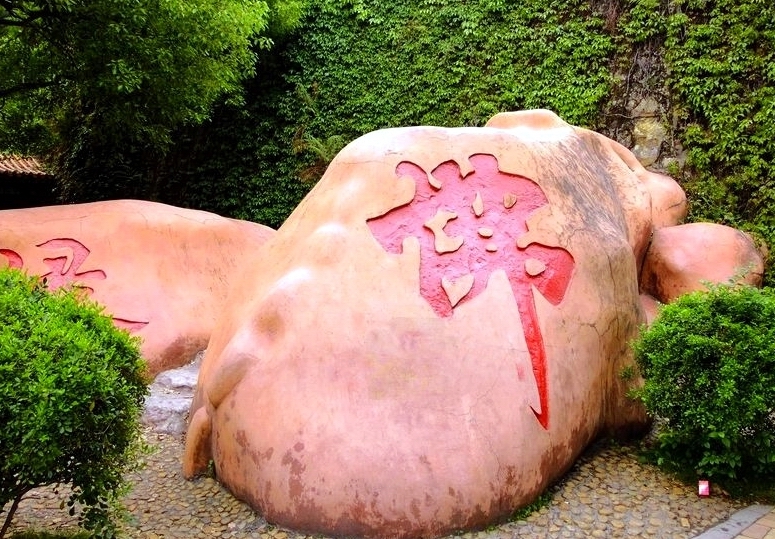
x=490, y=211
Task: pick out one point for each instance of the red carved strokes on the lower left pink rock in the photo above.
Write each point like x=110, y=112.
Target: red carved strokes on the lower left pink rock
x=70, y=255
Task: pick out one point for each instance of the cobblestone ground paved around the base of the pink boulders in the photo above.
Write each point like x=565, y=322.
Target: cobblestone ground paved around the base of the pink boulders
x=608, y=493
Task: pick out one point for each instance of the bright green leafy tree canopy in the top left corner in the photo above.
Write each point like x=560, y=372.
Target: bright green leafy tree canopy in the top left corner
x=132, y=69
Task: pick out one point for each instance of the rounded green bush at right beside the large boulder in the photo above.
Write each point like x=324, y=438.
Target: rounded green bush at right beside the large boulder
x=709, y=366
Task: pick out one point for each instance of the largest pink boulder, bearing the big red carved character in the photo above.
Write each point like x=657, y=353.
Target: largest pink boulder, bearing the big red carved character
x=440, y=333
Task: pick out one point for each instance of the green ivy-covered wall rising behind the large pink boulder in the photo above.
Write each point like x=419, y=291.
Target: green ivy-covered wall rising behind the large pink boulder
x=354, y=66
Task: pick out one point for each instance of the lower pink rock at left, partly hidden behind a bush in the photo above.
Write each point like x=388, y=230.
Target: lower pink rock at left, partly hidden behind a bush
x=161, y=272
